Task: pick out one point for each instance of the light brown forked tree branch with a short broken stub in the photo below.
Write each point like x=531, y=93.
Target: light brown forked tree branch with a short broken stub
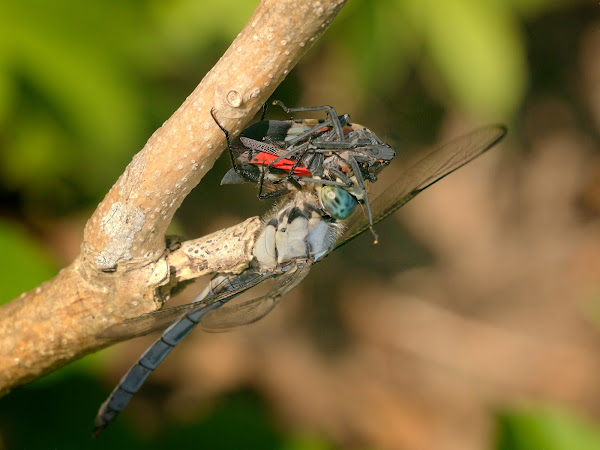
x=124, y=260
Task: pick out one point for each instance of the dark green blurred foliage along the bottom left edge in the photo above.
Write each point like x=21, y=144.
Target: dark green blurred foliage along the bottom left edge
x=239, y=421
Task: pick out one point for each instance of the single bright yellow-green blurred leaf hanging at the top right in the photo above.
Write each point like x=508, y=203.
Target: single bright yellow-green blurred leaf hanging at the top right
x=477, y=50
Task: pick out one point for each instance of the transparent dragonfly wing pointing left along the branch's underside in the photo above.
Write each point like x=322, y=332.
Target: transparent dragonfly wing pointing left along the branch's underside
x=226, y=289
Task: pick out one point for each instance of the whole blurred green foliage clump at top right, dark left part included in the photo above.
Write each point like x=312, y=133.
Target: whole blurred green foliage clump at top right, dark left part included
x=474, y=48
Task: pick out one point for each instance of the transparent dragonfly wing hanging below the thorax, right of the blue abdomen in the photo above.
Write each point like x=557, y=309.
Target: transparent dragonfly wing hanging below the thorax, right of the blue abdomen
x=231, y=316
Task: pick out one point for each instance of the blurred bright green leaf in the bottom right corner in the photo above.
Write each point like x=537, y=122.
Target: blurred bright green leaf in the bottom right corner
x=545, y=428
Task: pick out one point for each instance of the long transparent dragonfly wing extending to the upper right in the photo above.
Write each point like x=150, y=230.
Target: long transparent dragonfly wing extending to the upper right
x=428, y=170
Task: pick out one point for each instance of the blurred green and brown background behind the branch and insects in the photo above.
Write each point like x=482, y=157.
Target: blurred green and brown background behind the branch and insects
x=494, y=278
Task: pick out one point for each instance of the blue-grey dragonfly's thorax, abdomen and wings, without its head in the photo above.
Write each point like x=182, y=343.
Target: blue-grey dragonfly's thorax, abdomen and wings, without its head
x=299, y=234
